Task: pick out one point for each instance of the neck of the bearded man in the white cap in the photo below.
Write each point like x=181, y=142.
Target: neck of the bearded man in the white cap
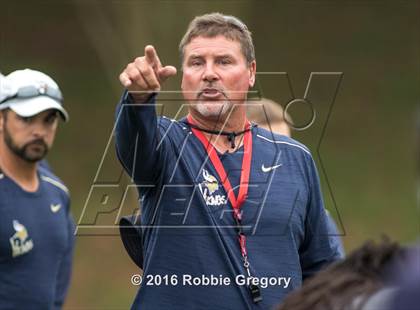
x=22, y=172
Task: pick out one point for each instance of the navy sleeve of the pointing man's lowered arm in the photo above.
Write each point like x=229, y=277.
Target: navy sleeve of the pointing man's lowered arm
x=318, y=249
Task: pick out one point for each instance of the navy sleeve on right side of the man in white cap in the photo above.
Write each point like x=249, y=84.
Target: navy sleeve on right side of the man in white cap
x=65, y=267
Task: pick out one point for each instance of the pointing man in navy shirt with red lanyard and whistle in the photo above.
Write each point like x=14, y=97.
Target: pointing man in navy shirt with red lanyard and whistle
x=225, y=205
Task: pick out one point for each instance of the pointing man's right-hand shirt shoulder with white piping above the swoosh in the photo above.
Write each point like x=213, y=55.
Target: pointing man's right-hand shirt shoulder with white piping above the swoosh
x=273, y=140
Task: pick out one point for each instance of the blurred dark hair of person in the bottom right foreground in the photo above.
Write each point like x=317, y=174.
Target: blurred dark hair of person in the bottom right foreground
x=338, y=286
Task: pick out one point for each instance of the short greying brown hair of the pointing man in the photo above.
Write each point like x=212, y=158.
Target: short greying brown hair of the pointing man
x=214, y=24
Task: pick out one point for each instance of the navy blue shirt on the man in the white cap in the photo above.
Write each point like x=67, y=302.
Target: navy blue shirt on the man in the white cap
x=36, y=243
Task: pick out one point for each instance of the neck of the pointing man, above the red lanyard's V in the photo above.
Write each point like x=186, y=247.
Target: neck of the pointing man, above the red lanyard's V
x=235, y=122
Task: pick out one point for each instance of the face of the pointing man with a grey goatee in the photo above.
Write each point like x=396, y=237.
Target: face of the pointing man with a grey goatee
x=216, y=75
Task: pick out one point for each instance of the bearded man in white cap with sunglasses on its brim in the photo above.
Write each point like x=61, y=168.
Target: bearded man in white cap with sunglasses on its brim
x=36, y=227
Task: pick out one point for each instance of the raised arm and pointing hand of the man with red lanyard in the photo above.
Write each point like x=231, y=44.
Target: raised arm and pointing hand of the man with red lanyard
x=136, y=125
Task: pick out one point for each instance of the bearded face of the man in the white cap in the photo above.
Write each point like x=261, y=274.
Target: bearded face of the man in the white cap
x=30, y=138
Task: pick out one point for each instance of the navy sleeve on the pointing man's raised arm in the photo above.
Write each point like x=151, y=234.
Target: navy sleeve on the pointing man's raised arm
x=138, y=144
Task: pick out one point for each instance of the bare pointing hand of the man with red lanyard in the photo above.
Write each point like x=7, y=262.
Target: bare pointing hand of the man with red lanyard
x=145, y=75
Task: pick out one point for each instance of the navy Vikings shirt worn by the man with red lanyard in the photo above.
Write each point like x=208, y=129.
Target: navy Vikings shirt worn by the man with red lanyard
x=189, y=231
